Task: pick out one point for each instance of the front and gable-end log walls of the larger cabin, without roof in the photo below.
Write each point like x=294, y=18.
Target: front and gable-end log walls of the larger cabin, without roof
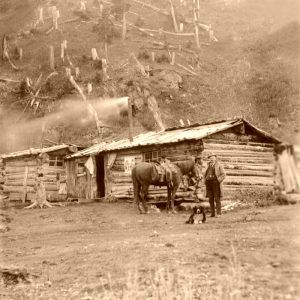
x=249, y=163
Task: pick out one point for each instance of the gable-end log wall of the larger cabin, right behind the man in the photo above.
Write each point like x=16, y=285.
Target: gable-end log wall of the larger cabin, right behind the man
x=247, y=164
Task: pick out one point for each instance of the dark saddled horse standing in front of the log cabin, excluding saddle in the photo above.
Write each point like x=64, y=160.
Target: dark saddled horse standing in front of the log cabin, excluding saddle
x=145, y=174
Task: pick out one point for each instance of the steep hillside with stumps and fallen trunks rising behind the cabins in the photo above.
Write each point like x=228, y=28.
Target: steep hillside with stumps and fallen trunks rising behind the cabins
x=251, y=71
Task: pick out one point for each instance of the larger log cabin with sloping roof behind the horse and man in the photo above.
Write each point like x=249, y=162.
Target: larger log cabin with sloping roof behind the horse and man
x=247, y=153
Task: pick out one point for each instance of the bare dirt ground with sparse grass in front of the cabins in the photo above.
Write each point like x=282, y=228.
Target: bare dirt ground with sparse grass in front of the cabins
x=108, y=251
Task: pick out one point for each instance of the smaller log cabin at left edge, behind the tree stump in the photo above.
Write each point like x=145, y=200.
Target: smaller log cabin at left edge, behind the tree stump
x=21, y=169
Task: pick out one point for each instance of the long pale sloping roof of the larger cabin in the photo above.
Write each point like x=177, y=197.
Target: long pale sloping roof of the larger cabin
x=170, y=135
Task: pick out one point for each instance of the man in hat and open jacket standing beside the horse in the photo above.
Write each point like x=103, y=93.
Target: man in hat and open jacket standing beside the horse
x=214, y=176
